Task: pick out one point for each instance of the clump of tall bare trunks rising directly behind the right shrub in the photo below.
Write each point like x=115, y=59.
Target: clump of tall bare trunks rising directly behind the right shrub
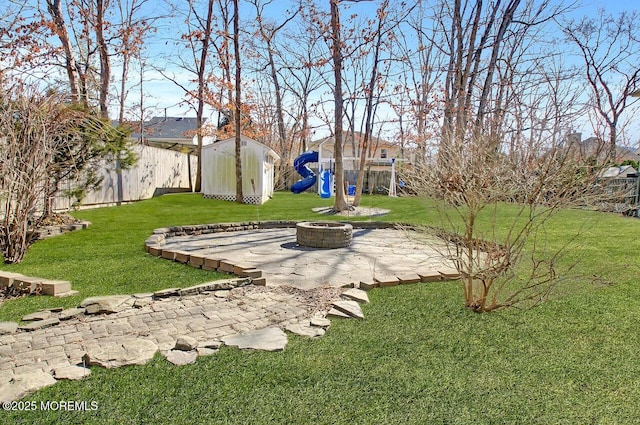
x=479, y=39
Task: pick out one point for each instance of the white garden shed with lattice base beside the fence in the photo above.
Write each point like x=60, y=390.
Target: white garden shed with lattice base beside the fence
x=219, y=170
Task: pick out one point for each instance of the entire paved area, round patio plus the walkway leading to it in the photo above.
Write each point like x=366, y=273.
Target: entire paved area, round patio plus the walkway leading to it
x=184, y=323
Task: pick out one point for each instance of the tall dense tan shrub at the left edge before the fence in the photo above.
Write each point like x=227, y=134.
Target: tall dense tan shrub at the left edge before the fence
x=43, y=140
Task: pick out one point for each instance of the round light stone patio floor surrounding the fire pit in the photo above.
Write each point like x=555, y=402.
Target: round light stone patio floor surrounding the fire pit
x=379, y=255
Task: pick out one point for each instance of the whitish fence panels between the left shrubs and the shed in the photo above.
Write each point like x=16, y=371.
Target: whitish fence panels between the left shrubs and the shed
x=157, y=171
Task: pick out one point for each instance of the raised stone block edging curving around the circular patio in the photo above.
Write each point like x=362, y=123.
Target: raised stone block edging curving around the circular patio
x=154, y=246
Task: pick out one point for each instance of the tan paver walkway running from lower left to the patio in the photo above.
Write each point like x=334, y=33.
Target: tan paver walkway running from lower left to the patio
x=133, y=335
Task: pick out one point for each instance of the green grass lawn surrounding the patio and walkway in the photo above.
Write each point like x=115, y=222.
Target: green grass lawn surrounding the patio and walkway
x=418, y=357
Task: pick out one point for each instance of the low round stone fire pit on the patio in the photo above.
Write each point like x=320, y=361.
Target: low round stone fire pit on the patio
x=326, y=235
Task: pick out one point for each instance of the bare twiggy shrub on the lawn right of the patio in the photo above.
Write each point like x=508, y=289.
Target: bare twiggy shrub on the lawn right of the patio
x=495, y=202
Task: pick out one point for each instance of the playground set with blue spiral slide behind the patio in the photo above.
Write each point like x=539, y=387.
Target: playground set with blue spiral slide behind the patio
x=326, y=172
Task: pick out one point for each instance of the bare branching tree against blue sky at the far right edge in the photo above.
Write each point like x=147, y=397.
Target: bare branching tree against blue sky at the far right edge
x=610, y=49
